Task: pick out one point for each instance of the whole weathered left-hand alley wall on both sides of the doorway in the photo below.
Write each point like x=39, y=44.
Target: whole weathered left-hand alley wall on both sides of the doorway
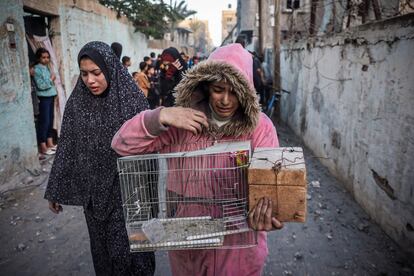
x=73, y=24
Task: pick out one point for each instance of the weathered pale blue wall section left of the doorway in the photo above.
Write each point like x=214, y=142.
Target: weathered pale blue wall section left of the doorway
x=18, y=150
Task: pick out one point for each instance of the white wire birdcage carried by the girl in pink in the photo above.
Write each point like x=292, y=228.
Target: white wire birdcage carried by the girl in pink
x=193, y=199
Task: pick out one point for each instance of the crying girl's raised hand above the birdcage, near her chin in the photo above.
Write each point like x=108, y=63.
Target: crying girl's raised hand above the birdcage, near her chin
x=184, y=118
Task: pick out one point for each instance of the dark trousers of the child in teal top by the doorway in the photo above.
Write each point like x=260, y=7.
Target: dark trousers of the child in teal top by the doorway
x=46, y=115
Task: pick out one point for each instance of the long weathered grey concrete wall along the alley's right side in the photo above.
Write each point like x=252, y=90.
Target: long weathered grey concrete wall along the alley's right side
x=352, y=101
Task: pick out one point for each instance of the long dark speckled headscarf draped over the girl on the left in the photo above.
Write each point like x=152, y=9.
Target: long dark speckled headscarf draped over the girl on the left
x=84, y=171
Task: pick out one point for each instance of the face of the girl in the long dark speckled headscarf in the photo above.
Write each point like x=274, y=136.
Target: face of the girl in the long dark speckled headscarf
x=92, y=76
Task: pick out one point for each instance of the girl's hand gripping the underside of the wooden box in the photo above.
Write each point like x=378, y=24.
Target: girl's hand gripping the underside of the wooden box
x=260, y=217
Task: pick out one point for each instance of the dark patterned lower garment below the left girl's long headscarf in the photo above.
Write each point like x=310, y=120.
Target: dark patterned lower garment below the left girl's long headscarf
x=110, y=247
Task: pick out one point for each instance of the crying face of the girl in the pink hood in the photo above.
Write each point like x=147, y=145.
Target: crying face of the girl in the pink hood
x=223, y=99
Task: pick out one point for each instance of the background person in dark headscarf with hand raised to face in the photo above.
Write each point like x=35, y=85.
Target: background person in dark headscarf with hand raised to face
x=173, y=66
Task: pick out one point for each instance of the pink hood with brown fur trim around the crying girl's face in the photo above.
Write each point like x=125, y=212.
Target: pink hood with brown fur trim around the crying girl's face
x=233, y=64
